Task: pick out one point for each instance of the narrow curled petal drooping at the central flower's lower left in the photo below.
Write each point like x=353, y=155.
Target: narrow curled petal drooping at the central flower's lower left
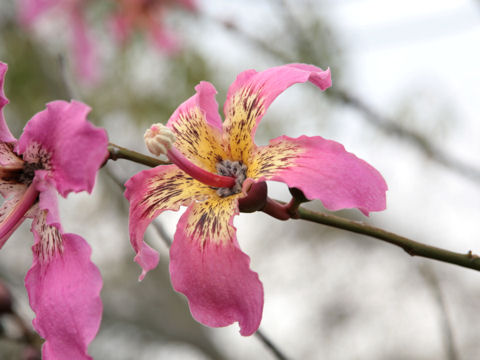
x=151, y=192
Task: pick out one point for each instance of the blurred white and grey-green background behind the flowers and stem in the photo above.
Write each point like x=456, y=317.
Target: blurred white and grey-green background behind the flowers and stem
x=405, y=98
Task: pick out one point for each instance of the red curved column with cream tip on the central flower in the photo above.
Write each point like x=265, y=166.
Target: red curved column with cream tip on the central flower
x=159, y=140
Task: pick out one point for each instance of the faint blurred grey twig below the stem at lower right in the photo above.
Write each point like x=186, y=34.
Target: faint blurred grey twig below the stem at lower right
x=449, y=340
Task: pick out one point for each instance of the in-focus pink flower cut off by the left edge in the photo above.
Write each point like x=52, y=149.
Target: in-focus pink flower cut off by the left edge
x=59, y=151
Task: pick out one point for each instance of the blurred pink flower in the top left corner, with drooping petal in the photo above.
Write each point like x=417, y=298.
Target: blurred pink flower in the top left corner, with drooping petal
x=84, y=53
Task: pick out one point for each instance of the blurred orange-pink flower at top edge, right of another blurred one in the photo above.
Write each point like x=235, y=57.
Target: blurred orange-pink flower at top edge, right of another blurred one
x=147, y=16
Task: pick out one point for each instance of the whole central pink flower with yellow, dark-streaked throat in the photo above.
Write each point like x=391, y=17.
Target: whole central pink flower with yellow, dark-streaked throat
x=215, y=163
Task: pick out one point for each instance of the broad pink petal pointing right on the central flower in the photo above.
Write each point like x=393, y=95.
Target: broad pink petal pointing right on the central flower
x=323, y=170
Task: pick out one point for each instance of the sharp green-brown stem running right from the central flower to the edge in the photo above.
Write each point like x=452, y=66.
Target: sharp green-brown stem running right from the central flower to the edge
x=413, y=248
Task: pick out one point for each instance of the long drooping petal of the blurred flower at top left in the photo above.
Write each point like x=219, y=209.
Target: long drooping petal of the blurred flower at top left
x=83, y=49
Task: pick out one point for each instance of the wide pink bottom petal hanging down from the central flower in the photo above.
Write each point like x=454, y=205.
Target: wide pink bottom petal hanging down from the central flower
x=208, y=267
